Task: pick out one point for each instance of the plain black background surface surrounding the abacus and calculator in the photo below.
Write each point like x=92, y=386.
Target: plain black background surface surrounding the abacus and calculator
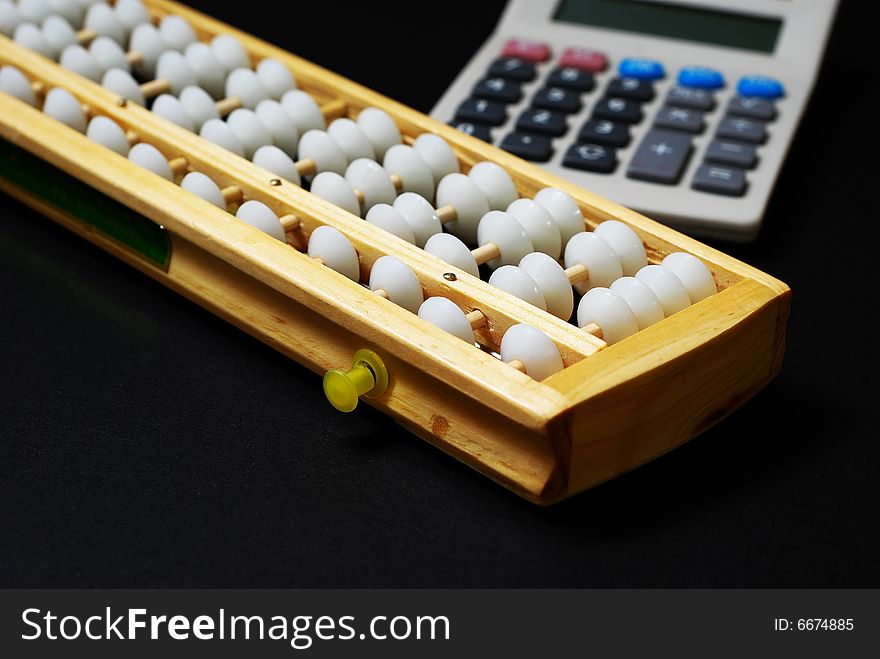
x=144, y=442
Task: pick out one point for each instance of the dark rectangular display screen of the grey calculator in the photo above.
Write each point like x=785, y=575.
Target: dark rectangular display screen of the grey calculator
x=675, y=21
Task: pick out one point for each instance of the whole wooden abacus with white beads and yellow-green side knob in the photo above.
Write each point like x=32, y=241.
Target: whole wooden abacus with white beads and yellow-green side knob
x=417, y=268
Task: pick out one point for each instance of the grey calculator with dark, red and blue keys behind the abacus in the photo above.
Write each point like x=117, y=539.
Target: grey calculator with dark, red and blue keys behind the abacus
x=683, y=110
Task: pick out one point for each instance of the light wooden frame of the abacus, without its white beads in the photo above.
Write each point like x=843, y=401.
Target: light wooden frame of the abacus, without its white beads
x=611, y=409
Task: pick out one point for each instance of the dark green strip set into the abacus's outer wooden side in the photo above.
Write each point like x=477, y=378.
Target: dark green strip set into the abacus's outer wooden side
x=74, y=198
